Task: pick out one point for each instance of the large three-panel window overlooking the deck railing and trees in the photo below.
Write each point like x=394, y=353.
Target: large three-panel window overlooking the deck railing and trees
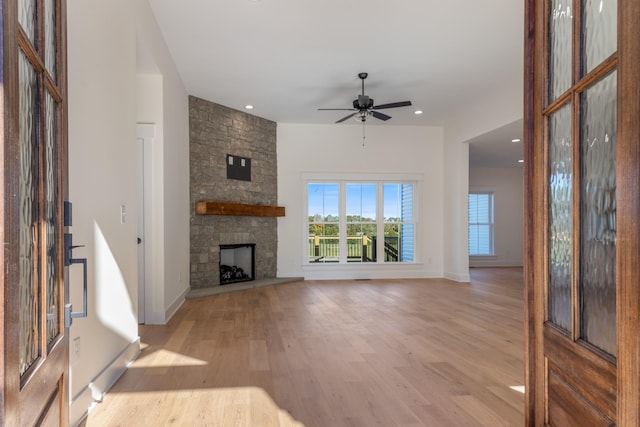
x=345, y=220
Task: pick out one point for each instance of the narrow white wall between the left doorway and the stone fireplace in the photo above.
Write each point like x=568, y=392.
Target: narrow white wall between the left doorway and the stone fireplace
x=170, y=167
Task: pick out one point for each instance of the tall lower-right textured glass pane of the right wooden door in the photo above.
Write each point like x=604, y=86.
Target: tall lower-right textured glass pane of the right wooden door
x=598, y=213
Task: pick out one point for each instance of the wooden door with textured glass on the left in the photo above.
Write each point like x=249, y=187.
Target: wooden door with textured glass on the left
x=34, y=185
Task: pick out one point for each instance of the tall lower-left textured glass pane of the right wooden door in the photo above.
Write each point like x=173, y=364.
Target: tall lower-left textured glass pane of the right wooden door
x=560, y=217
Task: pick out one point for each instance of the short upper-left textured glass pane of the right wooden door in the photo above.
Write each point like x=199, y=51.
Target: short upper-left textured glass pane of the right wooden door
x=560, y=26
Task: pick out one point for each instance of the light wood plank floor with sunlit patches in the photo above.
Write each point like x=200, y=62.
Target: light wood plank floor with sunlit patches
x=333, y=353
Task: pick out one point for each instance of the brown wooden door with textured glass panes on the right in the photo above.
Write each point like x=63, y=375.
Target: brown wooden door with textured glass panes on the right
x=582, y=147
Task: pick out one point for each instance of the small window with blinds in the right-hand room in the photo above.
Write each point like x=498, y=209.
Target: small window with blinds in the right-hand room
x=481, y=223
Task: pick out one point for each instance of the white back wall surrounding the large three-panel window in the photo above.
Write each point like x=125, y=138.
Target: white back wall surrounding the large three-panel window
x=337, y=149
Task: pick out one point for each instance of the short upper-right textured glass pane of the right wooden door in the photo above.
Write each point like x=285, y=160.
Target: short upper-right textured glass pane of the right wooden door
x=599, y=32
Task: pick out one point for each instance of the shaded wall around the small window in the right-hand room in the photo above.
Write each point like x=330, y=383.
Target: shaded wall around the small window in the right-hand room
x=506, y=184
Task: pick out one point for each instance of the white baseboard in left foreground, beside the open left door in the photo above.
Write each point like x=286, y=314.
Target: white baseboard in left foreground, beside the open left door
x=82, y=403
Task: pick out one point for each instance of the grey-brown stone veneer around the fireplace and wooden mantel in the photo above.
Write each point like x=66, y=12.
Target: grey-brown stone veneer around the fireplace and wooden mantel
x=214, y=132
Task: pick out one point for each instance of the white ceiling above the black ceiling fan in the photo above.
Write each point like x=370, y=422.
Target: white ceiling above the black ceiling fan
x=290, y=57
